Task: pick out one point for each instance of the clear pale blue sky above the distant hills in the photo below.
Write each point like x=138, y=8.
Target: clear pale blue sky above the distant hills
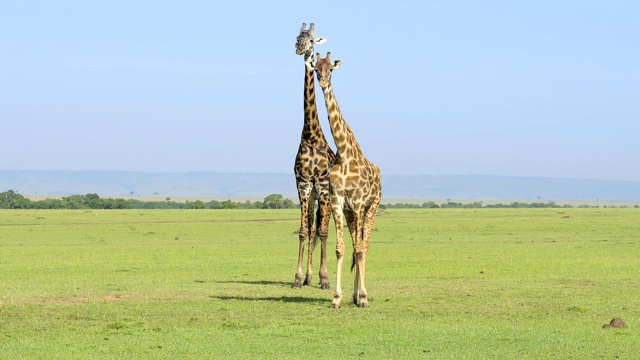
x=516, y=88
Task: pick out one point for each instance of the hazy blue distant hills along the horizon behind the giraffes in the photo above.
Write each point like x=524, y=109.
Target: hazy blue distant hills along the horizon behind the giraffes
x=251, y=185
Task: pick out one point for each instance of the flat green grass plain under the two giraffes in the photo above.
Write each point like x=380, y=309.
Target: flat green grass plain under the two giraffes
x=443, y=283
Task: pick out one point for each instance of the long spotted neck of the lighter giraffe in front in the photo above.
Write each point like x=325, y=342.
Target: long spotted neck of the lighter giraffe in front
x=346, y=144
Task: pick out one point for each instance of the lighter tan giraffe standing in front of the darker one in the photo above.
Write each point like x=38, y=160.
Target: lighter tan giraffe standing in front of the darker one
x=356, y=190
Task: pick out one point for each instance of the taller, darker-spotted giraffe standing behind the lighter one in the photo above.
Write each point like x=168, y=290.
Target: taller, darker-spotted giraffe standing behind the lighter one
x=311, y=169
